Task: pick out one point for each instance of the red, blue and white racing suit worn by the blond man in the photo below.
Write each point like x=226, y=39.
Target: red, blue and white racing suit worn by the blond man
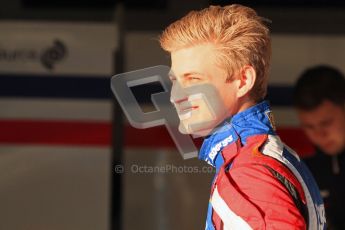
x=260, y=183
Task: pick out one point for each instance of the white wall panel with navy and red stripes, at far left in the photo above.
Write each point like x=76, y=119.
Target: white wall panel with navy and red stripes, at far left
x=59, y=183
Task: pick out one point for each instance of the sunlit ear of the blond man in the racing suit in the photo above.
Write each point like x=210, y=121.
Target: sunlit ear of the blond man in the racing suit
x=246, y=80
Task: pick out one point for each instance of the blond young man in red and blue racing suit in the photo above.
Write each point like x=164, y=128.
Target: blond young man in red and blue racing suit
x=260, y=183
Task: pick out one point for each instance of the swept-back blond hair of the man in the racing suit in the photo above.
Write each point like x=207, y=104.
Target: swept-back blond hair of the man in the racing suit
x=239, y=35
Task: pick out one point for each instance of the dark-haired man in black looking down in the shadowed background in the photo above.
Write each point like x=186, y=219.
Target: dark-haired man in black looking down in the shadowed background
x=319, y=98
